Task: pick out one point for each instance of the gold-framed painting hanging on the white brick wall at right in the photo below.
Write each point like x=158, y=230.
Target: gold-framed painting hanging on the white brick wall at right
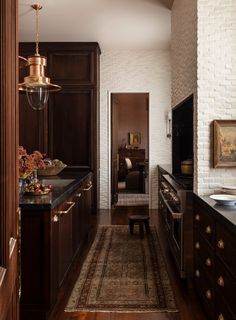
x=224, y=143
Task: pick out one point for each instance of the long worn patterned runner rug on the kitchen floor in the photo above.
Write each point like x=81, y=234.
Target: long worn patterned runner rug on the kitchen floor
x=123, y=273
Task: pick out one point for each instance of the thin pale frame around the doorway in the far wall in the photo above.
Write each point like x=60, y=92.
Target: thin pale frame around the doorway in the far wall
x=109, y=93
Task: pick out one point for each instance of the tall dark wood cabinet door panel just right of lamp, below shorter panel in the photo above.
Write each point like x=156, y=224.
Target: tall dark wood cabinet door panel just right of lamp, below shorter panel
x=71, y=123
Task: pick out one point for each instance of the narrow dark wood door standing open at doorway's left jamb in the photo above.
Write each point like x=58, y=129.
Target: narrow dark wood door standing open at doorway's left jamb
x=114, y=150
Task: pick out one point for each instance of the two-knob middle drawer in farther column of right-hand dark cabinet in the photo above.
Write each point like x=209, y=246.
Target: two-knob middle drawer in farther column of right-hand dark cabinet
x=204, y=253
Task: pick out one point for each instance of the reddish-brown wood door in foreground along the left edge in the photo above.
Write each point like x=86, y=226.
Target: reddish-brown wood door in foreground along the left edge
x=8, y=160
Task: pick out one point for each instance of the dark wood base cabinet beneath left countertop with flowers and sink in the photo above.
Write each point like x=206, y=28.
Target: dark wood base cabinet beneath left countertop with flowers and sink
x=51, y=240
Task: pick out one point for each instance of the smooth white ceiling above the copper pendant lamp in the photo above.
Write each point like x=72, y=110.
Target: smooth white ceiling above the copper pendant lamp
x=114, y=24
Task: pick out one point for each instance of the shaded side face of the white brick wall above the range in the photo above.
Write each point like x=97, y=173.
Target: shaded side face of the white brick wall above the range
x=184, y=58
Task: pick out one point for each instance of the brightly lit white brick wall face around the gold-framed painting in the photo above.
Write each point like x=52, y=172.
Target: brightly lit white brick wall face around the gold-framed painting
x=216, y=85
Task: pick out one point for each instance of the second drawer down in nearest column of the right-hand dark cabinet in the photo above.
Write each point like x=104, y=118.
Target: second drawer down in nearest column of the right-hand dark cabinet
x=226, y=285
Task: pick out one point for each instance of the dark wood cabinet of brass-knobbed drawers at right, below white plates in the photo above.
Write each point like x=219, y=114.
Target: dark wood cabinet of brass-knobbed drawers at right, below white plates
x=214, y=262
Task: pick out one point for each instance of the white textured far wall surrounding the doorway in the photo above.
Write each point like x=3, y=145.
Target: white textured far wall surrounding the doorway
x=136, y=71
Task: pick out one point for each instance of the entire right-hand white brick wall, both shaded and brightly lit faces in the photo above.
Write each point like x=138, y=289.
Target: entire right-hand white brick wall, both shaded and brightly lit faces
x=203, y=62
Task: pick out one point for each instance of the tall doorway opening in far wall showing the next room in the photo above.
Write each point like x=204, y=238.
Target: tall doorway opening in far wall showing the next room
x=130, y=149
